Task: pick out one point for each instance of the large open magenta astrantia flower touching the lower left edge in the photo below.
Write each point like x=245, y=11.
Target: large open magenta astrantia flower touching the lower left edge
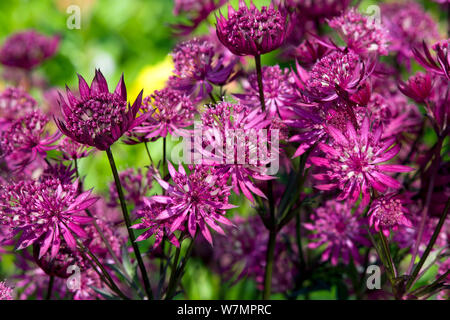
x=44, y=212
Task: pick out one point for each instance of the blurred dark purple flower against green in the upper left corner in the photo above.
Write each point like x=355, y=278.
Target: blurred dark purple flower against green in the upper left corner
x=27, y=49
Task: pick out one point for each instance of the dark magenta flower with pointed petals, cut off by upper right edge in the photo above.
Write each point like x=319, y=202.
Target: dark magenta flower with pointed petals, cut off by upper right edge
x=439, y=65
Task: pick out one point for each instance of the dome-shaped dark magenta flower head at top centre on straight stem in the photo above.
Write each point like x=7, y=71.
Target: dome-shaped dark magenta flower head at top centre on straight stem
x=249, y=31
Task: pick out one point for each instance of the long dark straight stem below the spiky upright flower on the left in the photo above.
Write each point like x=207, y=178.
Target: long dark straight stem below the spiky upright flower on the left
x=126, y=217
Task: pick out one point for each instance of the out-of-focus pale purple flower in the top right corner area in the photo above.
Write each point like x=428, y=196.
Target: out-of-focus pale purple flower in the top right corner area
x=408, y=25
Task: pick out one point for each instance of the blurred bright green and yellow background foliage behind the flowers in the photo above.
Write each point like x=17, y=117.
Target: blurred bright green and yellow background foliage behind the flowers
x=132, y=37
